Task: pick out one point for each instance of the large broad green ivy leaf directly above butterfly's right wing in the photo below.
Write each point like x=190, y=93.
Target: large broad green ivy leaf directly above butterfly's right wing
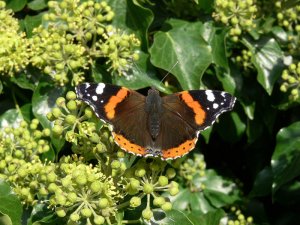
x=193, y=45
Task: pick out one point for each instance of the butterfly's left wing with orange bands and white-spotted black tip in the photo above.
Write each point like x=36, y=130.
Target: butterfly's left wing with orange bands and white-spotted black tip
x=124, y=109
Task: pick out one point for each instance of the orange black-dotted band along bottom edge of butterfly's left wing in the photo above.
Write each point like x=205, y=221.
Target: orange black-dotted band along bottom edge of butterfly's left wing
x=128, y=146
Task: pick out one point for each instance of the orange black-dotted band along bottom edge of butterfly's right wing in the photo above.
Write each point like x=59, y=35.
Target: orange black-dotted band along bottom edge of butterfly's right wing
x=180, y=150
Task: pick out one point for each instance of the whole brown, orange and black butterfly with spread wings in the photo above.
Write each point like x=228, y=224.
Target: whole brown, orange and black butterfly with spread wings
x=152, y=125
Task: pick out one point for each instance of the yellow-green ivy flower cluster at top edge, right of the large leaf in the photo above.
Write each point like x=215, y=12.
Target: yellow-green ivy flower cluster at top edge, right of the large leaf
x=237, y=14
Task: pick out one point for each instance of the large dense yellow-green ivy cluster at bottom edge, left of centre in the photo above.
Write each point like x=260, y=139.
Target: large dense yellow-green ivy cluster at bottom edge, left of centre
x=82, y=192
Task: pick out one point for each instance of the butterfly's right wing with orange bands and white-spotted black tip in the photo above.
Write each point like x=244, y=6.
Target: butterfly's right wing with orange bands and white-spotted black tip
x=185, y=114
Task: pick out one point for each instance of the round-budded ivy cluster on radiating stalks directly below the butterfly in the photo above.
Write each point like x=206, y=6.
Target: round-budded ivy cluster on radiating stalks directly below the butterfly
x=146, y=180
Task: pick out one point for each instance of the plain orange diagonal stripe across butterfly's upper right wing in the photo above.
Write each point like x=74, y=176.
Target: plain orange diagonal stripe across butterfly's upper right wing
x=199, y=112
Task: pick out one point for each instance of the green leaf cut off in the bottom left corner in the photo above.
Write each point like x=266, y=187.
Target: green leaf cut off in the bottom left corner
x=10, y=204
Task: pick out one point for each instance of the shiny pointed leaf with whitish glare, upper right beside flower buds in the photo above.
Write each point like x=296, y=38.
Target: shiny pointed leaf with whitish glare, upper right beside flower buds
x=267, y=58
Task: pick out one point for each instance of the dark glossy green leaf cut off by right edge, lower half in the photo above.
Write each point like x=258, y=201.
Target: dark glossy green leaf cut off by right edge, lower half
x=286, y=157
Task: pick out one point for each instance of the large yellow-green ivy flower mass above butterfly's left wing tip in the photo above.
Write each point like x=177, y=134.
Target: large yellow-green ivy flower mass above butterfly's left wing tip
x=77, y=34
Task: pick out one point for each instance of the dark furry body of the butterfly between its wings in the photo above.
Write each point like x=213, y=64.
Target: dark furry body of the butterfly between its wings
x=154, y=109
